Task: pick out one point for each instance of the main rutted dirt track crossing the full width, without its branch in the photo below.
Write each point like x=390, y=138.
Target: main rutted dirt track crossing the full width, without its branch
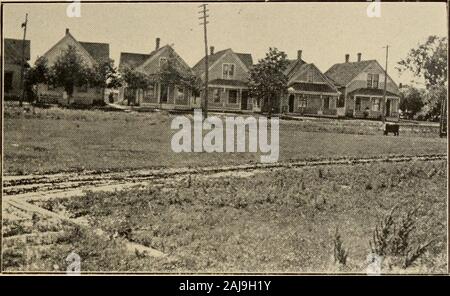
x=32, y=187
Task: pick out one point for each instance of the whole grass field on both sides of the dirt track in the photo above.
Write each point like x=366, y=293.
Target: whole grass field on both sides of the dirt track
x=283, y=220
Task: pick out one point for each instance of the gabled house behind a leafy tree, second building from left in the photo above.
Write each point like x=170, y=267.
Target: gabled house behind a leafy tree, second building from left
x=91, y=53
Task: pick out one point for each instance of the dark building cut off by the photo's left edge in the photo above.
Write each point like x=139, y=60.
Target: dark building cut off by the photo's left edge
x=13, y=83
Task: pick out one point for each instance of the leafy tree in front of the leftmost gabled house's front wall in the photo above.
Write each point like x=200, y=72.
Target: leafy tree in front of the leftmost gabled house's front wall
x=70, y=70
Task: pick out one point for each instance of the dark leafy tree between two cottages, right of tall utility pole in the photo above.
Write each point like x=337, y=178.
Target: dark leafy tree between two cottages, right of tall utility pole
x=267, y=79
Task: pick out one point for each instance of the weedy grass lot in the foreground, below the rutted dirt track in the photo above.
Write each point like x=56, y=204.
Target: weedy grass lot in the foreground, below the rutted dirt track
x=279, y=221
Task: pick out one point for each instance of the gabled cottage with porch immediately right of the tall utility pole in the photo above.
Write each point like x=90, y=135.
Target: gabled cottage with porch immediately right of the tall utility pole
x=228, y=76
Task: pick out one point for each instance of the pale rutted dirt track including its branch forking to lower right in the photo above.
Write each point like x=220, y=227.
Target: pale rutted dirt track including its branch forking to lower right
x=19, y=192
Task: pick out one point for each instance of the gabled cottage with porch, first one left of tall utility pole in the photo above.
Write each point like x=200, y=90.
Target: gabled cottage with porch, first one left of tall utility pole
x=158, y=94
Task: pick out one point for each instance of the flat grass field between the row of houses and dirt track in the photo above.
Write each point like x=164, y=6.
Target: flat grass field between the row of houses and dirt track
x=60, y=140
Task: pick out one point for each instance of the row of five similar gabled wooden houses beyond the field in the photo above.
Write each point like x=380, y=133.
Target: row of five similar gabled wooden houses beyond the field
x=347, y=89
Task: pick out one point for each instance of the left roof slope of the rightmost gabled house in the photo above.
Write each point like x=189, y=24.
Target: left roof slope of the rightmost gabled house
x=342, y=73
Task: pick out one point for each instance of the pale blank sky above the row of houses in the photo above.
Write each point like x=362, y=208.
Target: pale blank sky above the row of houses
x=324, y=31
